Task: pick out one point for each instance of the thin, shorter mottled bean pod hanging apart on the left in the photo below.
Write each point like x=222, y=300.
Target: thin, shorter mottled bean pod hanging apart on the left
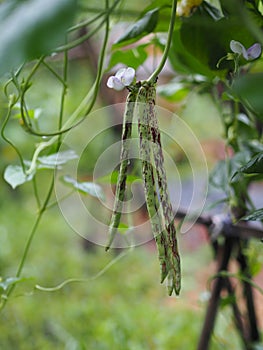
x=124, y=162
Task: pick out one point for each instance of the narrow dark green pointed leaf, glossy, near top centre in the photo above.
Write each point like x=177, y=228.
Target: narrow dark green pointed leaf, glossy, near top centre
x=142, y=27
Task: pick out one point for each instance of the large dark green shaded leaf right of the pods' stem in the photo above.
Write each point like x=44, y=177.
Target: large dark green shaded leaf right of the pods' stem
x=207, y=39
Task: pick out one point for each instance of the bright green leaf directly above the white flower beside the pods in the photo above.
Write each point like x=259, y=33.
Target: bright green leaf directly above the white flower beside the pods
x=131, y=57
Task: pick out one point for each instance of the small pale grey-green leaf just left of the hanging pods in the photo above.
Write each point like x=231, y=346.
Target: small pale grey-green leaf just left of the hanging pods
x=85, y=187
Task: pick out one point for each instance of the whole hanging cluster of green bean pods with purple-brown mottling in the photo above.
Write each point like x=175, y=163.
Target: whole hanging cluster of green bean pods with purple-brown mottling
x=141, y=102
